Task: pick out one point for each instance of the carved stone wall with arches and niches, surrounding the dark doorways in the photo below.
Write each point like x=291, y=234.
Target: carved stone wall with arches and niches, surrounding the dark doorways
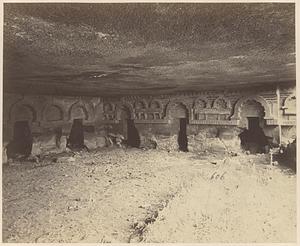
x=215, y=118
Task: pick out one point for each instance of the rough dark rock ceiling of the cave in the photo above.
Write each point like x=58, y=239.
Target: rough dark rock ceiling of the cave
x=108, y=49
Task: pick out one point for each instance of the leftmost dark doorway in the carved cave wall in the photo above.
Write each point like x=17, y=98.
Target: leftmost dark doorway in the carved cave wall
x=22, y=140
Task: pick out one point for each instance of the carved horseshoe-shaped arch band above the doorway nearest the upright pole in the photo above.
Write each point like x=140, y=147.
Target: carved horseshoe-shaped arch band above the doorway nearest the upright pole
x=238, y=106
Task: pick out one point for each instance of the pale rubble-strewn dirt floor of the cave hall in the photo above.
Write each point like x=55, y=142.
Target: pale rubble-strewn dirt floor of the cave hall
x=130, y=195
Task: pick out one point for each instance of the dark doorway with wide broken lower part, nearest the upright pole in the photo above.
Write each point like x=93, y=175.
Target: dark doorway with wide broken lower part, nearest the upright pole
x=253, y=138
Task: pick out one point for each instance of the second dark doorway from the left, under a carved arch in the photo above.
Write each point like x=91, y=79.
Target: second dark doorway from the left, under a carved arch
x=76, y=138
